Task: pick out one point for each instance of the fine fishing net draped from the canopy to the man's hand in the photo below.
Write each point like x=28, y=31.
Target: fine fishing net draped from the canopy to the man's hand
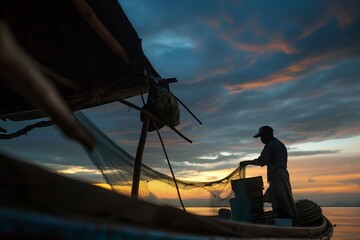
x=116, y=166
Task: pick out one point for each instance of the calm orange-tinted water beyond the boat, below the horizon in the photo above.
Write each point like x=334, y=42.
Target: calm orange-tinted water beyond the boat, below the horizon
x=345, y=219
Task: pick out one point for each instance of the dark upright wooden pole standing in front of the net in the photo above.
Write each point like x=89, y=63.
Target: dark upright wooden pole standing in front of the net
x=138, y=158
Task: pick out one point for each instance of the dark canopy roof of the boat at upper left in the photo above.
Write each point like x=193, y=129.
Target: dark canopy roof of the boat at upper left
x=89, y=49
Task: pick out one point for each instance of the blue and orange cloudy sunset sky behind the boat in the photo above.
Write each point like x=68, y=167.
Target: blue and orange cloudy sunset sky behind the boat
x=293, y=65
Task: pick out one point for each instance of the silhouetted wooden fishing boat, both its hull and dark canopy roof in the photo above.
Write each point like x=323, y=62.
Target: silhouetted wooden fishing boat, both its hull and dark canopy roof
x=94, y=56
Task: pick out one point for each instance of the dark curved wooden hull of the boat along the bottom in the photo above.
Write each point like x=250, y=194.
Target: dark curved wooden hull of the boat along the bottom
x=37, y=204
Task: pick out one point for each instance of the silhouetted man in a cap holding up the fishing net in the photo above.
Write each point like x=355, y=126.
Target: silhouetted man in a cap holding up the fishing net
x=274, y=155
